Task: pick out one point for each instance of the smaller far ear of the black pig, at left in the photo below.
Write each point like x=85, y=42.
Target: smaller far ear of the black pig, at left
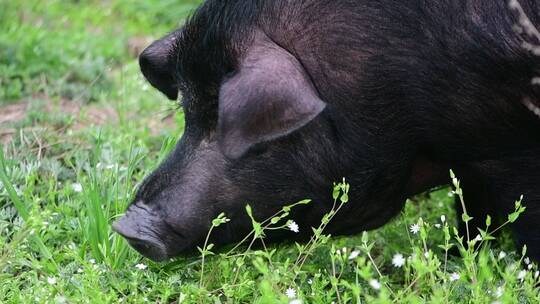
x=157, y=65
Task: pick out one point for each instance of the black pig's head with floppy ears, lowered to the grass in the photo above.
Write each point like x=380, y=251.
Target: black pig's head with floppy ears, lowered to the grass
x=257, y=132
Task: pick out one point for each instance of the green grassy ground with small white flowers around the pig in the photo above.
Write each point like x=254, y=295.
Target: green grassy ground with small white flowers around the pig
x=79, y=128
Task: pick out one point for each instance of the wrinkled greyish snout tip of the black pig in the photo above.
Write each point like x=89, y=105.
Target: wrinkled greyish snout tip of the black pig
x=140, y=227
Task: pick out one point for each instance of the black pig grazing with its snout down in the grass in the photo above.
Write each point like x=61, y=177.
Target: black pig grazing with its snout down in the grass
x=282, y=98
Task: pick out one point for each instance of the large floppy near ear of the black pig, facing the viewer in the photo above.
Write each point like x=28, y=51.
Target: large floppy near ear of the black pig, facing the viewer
x=269, y=97
